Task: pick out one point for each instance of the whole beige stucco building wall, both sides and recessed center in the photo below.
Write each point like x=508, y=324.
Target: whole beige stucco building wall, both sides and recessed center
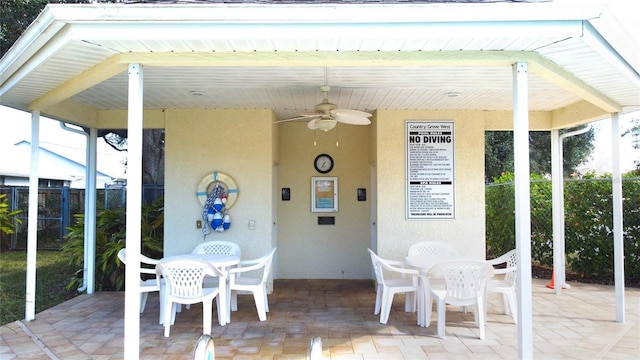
x=263, y=158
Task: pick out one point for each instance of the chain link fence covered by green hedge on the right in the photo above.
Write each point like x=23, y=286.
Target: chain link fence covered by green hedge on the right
x=588, y=225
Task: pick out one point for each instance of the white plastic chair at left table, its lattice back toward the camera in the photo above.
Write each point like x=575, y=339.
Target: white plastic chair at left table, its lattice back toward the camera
x=183, y=284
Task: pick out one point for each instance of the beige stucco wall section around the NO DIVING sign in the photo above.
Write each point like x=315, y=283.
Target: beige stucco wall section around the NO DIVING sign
x=467, y=232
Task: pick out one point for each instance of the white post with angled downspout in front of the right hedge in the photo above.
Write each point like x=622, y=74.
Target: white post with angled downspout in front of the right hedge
x=557, y=186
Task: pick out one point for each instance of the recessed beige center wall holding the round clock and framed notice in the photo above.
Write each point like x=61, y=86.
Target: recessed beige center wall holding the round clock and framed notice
x=309, y=250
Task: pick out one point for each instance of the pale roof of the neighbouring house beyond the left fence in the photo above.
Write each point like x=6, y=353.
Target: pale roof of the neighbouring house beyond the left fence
x=52, y=165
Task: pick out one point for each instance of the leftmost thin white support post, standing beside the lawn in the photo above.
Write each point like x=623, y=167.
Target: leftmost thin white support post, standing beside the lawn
x=32, y=227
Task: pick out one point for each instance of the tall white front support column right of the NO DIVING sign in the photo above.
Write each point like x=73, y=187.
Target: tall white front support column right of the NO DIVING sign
x=522, y=208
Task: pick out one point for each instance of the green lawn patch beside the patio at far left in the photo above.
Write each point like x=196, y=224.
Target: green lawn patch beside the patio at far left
x=52, y=276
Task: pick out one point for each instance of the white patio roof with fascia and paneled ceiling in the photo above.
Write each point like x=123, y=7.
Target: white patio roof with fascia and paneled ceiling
x=392, y=55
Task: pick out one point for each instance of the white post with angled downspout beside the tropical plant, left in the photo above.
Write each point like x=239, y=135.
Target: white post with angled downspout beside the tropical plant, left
x=89, y=273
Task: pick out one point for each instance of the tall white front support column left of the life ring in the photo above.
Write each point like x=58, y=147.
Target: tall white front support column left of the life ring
x=134, y=215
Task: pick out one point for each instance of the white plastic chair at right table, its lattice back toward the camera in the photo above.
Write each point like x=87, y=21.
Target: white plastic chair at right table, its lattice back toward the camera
x=465, y=285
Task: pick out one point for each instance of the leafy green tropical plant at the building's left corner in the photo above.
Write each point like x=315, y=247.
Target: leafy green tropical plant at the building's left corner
x=110, y=238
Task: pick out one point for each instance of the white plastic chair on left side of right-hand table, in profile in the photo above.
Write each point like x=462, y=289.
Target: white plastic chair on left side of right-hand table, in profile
x=387, y=285
